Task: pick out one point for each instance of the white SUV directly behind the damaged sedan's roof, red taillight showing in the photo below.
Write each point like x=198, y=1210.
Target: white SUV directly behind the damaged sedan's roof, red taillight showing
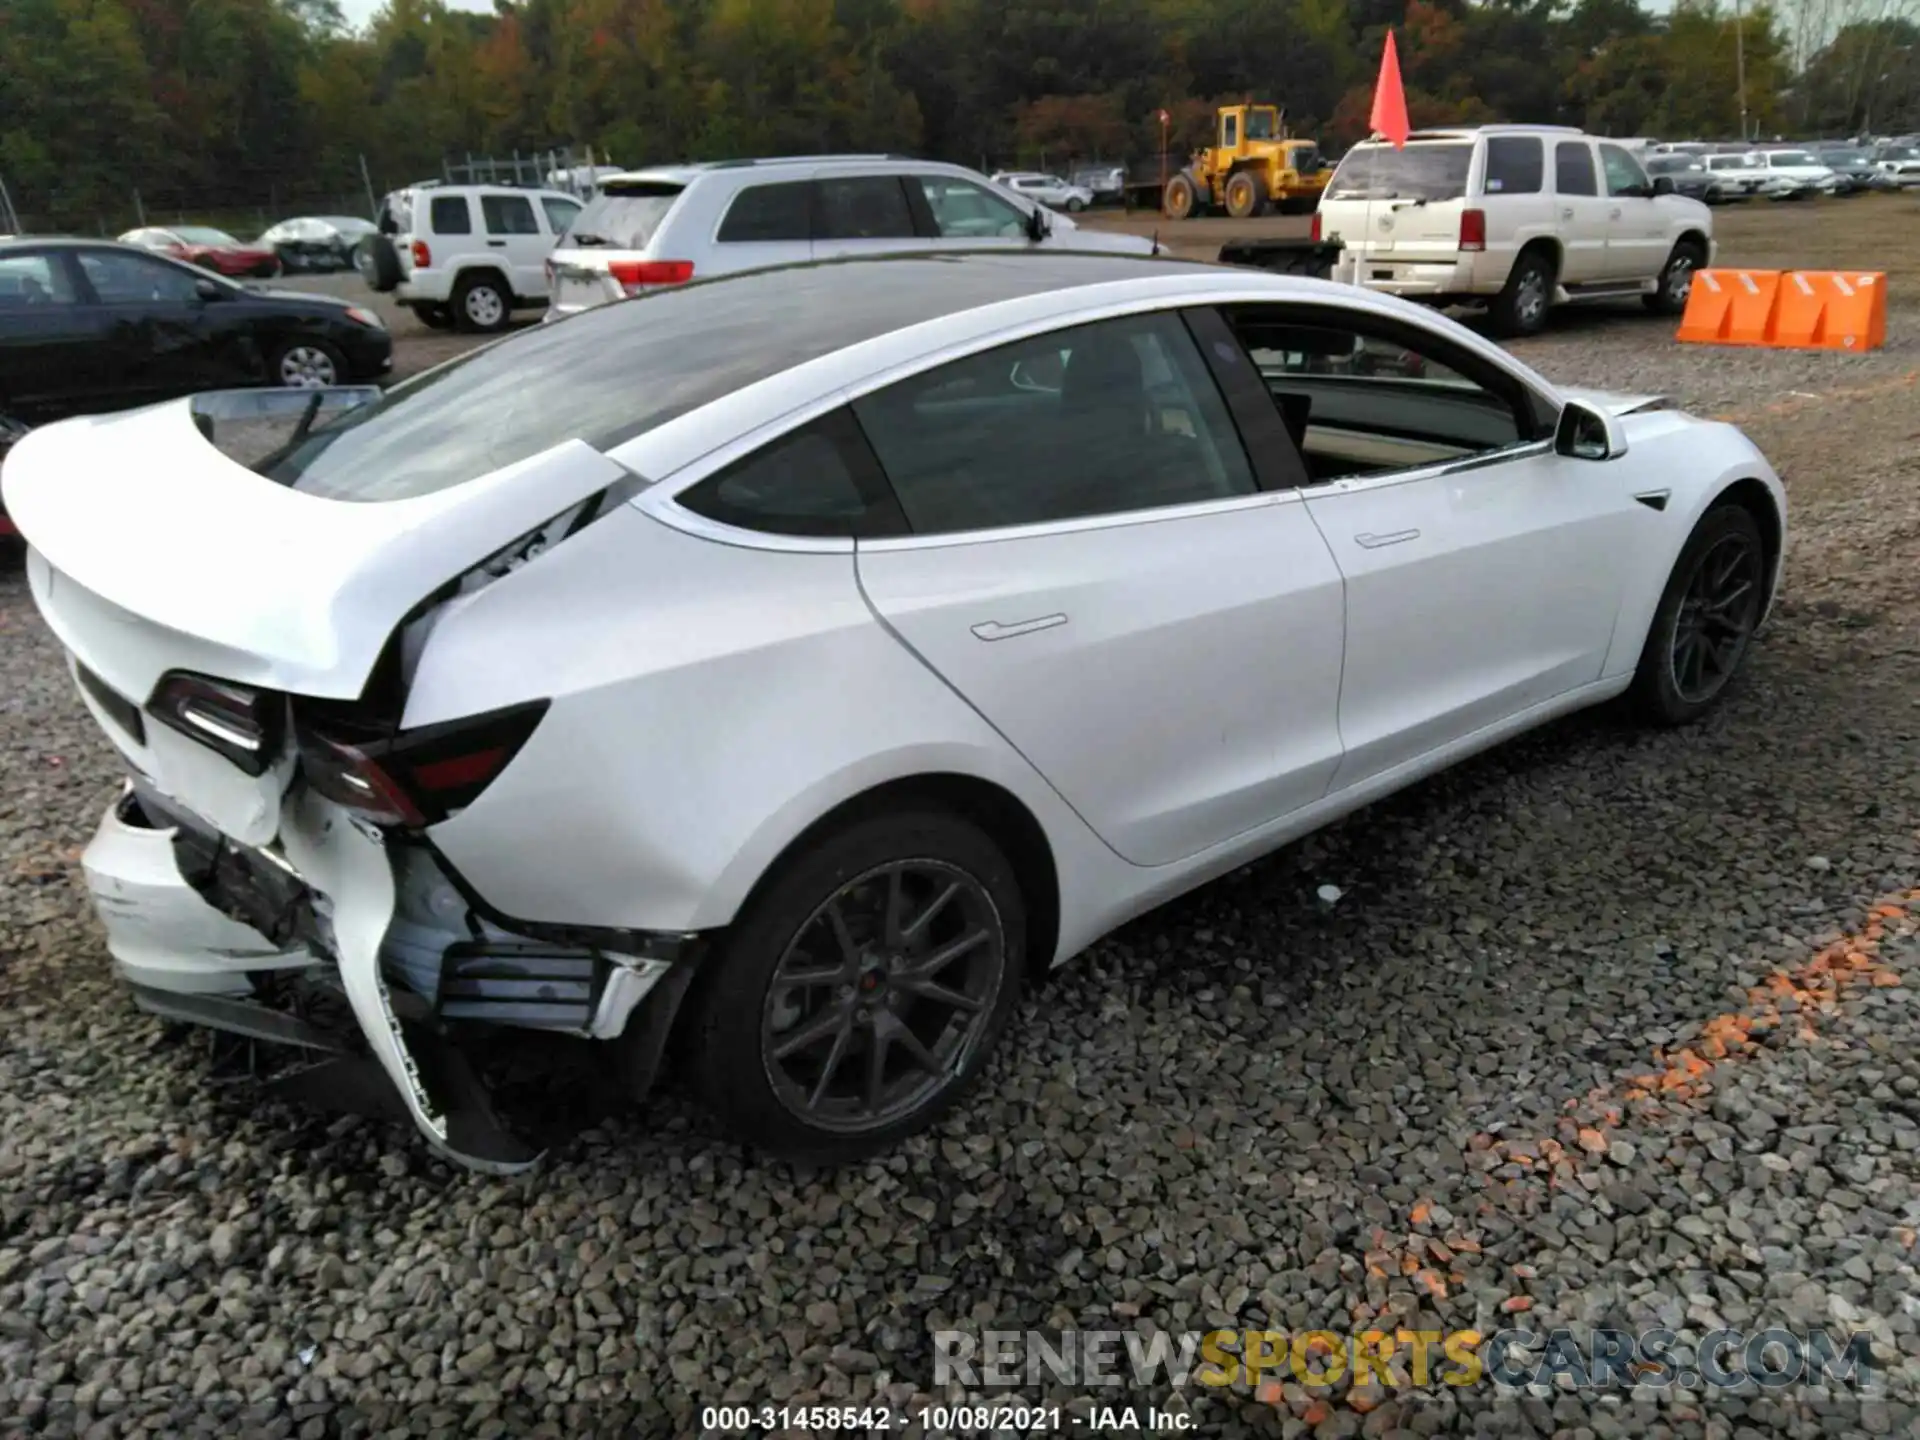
x=677, y=224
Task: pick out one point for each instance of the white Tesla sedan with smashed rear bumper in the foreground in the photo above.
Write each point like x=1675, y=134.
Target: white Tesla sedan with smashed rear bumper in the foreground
x=777, y=673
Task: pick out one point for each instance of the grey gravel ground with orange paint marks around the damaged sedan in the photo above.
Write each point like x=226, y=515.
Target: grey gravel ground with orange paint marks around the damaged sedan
x=1604, y=1030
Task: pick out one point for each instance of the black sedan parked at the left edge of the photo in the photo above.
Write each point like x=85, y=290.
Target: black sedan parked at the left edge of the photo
x=91, y=325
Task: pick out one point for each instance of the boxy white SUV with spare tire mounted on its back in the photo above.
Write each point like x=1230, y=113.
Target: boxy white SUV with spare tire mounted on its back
x=468, y=254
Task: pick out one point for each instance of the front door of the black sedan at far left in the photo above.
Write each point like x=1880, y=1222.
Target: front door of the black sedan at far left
x=160, y=337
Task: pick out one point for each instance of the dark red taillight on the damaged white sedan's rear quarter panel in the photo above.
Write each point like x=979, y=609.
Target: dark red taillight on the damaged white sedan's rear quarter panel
x=416, y=777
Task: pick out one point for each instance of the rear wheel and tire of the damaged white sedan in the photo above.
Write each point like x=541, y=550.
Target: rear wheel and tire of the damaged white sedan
x=861, y=990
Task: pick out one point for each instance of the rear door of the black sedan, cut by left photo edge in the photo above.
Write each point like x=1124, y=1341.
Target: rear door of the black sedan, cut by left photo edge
x=53, y=341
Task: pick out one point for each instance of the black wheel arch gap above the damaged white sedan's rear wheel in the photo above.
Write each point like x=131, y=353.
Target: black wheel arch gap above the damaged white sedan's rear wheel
x=997, y=811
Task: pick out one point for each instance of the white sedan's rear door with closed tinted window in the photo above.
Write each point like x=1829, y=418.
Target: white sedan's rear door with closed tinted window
x=1097, y=567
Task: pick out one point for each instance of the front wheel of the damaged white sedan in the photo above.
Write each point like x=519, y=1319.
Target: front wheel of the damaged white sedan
x=1706, y=619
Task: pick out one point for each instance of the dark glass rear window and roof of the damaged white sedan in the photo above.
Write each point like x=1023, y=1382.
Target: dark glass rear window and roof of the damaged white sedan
x=615, y=372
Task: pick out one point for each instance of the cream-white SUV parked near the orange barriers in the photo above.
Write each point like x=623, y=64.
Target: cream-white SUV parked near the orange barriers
x=1514, y=218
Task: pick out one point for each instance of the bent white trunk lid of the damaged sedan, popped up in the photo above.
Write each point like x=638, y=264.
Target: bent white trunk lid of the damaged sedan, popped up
x=155, y=554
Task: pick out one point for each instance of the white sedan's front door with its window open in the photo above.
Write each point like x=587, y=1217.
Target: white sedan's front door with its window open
x=1481, y=567
